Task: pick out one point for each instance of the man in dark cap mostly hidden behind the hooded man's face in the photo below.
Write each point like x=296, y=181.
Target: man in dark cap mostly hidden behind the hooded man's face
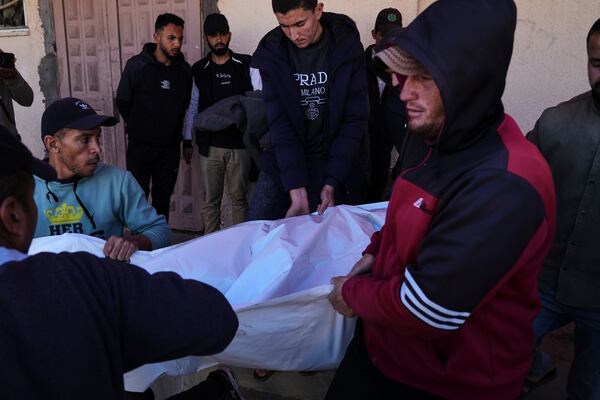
x=387, y=117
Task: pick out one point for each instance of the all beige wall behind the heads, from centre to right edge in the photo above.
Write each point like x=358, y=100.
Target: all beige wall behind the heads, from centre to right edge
x=549, y=61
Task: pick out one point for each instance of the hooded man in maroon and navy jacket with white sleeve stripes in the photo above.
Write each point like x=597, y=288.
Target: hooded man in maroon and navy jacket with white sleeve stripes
x=447, y=291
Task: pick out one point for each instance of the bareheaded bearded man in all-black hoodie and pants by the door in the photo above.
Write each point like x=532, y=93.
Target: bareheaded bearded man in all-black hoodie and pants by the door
x=153, y=95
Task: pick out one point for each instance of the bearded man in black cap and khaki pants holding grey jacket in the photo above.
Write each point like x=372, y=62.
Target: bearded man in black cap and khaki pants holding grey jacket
x=221, y=74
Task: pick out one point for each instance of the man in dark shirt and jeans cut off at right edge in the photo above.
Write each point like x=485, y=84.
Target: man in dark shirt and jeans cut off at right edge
x=568, y=136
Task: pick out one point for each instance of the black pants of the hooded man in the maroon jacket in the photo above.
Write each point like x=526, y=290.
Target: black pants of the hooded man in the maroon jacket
x=358, y=379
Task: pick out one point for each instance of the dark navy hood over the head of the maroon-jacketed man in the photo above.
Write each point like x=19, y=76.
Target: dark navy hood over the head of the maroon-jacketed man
x=466, y=45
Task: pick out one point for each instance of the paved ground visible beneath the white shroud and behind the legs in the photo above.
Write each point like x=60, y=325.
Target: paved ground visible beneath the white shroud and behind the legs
x=294, y=386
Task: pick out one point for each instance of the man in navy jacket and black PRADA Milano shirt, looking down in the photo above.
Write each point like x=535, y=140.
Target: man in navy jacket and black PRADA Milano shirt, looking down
x=315, y=89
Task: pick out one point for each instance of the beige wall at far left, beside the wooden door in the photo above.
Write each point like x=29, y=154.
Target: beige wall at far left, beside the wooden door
x=29, y=50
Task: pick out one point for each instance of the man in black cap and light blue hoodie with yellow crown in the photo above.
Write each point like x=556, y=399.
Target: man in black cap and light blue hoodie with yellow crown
x=89, y=197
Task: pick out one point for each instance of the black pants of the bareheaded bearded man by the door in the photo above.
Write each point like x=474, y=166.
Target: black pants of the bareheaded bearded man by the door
x=159, y=164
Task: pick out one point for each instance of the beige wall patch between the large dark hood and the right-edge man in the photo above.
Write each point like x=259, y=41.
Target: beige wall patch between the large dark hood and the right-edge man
x=549, y=63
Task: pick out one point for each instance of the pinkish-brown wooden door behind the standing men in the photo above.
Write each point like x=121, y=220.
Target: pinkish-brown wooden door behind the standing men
x=94, y=39
